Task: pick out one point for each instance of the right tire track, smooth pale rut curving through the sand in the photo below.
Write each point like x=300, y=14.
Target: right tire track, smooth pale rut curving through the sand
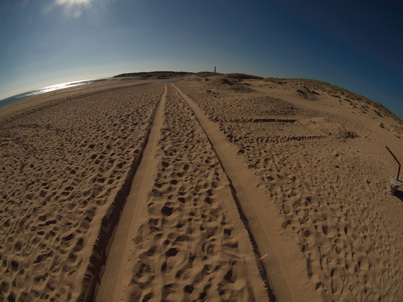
x=282, y=265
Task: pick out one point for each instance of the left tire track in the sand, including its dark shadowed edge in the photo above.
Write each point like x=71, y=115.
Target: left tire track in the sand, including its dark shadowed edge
x=112, y=281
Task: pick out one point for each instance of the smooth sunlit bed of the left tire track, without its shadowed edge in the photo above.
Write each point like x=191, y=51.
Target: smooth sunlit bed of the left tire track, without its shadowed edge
x=114, y=278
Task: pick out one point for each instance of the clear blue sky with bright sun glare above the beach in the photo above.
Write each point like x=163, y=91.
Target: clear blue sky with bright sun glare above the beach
x=354, y=44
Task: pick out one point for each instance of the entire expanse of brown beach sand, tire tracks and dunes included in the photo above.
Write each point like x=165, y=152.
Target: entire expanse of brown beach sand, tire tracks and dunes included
x=213, y=188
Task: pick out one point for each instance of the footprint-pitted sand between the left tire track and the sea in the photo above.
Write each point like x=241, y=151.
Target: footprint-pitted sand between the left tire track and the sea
x=64, y=162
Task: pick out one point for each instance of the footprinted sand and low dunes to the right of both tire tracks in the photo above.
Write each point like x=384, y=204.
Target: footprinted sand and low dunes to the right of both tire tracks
x=319, y=152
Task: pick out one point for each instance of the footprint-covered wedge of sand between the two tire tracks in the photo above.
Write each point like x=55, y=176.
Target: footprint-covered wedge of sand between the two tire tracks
x=189, y=242
